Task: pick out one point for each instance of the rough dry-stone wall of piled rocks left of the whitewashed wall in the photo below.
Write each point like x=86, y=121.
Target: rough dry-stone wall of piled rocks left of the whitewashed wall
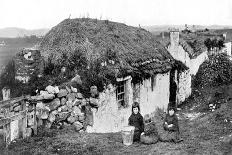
x=65, y=107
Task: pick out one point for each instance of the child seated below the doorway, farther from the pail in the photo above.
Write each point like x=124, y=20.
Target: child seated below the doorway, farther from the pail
x=171, y=126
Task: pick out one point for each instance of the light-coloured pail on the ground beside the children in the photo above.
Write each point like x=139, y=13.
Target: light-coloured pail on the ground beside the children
x=127, y=135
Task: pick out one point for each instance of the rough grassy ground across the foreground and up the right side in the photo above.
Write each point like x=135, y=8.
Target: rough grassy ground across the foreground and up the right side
x=201, y=134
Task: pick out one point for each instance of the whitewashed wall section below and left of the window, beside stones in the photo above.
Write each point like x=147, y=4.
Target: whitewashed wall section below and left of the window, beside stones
x=108, y=117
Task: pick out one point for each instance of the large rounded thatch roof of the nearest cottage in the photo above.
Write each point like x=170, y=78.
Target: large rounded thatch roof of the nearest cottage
x=132, y=48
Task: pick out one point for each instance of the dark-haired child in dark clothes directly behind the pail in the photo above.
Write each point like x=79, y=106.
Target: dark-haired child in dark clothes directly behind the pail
x=136, y=120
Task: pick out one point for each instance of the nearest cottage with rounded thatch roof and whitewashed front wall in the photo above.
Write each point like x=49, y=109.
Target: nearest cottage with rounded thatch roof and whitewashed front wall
x=136, y=66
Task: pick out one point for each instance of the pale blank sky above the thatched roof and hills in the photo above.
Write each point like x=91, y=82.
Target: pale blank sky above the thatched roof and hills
x=34, y=14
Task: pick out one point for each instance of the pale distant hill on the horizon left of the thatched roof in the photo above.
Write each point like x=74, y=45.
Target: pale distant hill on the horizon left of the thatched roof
x=13, y=32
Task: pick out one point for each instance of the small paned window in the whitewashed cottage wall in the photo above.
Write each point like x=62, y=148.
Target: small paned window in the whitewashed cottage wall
x=120, y=93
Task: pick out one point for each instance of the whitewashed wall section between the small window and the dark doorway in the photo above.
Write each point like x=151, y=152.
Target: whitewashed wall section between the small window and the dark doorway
x=158, y=97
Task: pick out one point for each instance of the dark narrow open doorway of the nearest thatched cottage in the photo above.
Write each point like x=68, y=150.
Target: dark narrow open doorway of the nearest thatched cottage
x=172, y=90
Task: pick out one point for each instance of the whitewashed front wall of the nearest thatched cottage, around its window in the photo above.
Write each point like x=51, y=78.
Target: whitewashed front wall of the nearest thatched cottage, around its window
x=109, y=118
